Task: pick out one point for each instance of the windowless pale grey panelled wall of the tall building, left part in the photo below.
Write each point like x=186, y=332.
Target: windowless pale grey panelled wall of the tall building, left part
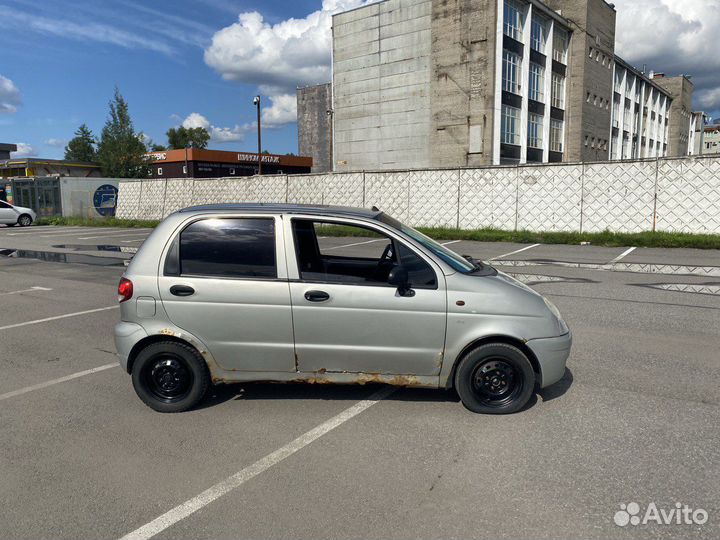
x=381, y=85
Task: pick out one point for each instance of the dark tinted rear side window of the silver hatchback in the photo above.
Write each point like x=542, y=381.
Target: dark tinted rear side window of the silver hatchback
x=242, y=248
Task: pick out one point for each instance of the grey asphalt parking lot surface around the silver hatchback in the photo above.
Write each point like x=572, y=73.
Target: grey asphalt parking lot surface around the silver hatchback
x=635, y=419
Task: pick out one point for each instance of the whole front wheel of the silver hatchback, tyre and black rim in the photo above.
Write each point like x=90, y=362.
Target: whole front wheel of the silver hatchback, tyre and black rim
x=495, y=378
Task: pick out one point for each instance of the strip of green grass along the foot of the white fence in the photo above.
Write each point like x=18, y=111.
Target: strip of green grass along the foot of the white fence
x=605, y=238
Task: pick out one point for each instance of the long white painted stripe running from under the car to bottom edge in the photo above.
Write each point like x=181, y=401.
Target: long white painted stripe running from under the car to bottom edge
x=213, y=493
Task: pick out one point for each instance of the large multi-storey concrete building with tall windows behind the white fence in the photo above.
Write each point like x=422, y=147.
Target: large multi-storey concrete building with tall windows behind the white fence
x=440, y=83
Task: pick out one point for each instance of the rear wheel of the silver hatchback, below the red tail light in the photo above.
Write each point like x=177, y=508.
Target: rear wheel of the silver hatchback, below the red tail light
x=170, y=377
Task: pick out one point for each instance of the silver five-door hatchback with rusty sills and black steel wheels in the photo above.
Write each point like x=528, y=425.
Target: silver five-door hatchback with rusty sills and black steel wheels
x=319, y=294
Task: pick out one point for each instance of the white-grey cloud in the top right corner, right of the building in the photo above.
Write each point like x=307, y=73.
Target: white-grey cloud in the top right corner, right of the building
x=674, y=37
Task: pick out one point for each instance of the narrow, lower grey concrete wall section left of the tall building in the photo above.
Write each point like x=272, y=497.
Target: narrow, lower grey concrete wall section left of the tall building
x=315, y=125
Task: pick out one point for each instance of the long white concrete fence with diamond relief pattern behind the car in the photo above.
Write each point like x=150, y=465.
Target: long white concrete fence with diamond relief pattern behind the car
x=681, y=194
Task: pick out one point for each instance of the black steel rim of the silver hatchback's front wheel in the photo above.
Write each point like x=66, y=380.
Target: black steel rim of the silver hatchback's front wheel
x=497, y=382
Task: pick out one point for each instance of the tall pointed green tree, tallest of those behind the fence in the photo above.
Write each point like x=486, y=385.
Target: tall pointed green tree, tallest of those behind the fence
x=121, y=151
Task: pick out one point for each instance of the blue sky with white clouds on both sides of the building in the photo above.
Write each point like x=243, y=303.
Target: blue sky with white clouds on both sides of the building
x=201, y=62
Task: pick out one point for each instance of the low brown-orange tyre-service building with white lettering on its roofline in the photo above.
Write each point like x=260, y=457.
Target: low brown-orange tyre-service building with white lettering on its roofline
x=203, y=163
